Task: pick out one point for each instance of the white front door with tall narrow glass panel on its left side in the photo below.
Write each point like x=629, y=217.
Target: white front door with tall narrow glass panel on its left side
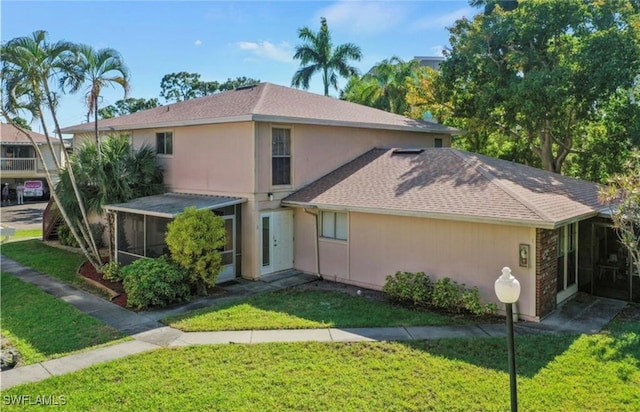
x=276, y=243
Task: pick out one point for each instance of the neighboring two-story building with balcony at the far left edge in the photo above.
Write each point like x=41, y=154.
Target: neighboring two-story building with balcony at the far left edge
x=19, y=160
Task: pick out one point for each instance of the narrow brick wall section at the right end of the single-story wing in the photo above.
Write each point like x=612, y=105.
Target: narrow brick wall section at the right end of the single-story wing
x=546, y=271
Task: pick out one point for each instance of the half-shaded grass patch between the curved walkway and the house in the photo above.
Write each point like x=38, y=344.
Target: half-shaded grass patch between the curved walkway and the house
x=304, y=310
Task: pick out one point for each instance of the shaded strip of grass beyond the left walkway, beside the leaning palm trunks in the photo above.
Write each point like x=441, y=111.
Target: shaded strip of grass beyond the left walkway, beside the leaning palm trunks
x=58, y=263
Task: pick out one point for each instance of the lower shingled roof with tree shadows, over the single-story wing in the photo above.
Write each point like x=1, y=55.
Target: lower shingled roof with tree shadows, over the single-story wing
x=445, y=183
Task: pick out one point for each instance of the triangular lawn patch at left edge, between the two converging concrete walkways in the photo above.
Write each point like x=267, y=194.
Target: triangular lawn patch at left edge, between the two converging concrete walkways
x=42, y=327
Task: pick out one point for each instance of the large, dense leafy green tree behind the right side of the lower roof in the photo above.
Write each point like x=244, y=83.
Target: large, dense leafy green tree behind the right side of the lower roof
x=537, y=73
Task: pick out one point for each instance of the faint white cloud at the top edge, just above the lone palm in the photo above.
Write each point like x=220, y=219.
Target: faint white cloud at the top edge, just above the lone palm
x=363, y=18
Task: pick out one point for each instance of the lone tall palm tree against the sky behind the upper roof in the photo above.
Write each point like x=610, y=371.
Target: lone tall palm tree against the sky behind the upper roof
x=317, y=54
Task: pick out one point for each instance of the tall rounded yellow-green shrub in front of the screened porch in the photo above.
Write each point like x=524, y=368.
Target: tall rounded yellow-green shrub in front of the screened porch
x=194, y=239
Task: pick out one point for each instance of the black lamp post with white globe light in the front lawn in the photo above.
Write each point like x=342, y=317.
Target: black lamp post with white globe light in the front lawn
x=507, y=290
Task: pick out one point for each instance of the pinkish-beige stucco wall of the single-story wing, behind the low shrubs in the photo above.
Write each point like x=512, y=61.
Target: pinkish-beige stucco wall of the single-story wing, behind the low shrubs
x=470, y=253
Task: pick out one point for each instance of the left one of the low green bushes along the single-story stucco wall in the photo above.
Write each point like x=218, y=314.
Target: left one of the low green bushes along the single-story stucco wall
x=408, y=287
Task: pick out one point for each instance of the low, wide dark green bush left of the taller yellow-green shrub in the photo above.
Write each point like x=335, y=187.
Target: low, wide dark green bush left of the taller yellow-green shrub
x=155, y=282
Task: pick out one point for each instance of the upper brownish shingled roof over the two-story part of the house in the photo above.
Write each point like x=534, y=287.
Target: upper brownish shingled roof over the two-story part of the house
x=264, y=102
